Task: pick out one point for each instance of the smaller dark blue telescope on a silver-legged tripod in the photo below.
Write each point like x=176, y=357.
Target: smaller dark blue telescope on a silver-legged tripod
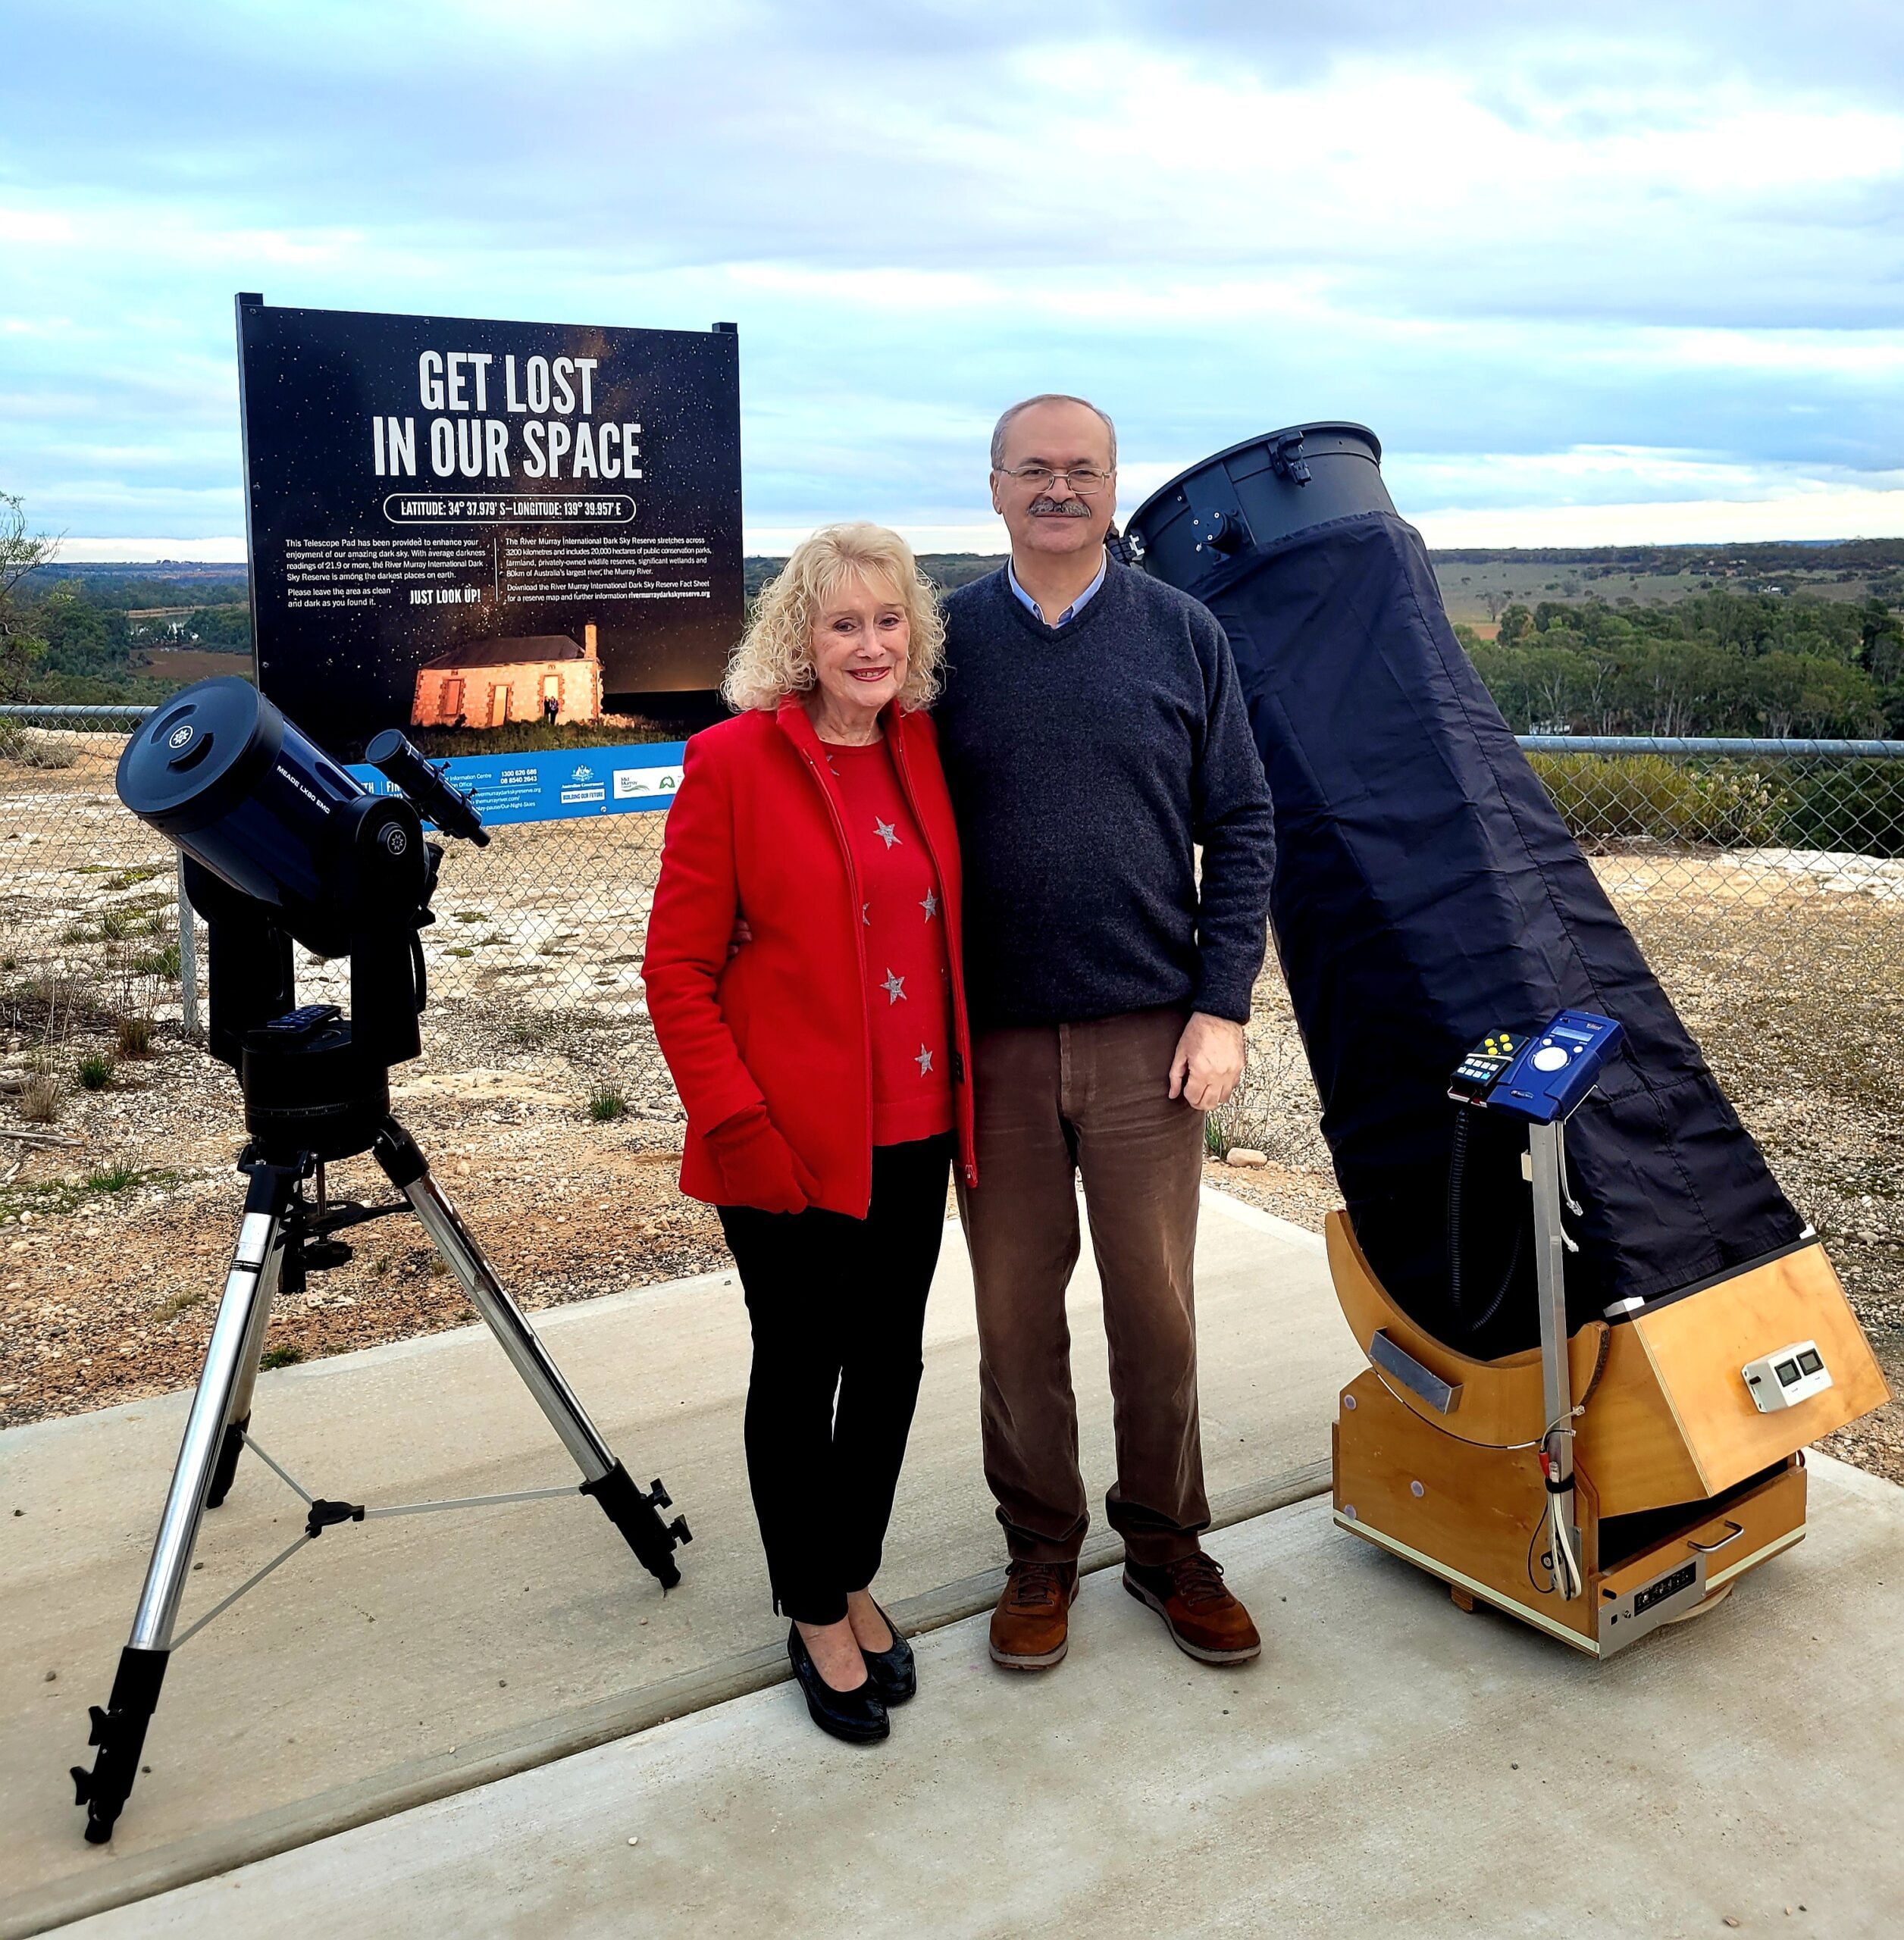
x=282, y=845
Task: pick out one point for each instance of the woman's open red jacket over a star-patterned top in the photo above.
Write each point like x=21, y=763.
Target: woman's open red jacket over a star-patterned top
x=756, y=831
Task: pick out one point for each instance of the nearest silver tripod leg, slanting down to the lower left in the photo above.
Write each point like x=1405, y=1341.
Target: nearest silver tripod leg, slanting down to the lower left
x=119, y=1730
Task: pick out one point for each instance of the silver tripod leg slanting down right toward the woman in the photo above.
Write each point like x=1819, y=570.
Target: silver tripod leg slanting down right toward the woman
x=628, y=1508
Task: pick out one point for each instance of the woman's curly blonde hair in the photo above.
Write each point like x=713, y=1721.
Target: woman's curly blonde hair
x=775, y=657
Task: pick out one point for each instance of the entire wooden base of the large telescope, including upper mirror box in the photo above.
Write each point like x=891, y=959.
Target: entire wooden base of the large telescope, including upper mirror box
x=1682, y=1483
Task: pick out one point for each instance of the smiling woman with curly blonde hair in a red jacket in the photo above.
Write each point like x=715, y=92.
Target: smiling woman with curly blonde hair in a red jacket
x=824, y=1066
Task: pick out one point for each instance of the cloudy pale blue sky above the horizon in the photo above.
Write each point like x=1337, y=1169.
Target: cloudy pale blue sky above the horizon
x=1627, y=271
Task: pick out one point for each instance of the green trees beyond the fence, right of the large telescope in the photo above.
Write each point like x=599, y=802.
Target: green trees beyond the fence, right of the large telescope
x=1717, y=663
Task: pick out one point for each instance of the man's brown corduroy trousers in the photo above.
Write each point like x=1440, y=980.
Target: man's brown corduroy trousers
x=1057, y=1103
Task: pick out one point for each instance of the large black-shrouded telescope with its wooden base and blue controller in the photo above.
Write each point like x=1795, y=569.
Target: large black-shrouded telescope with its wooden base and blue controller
x=1598, y=1332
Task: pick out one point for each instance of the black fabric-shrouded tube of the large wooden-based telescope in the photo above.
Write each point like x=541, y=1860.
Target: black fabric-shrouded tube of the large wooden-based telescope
x=1428, y=893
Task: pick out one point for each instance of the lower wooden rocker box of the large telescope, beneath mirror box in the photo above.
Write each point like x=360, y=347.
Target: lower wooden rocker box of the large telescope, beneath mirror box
x=1474, y=1518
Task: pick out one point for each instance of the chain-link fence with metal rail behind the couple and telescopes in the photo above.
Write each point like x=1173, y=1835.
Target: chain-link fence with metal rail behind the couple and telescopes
x=1732, y=860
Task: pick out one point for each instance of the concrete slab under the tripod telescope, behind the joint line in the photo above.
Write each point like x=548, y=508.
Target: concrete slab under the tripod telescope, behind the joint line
x=403, y=1660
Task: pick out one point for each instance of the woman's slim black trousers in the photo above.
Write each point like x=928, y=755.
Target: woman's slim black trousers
x=837, y=1309
